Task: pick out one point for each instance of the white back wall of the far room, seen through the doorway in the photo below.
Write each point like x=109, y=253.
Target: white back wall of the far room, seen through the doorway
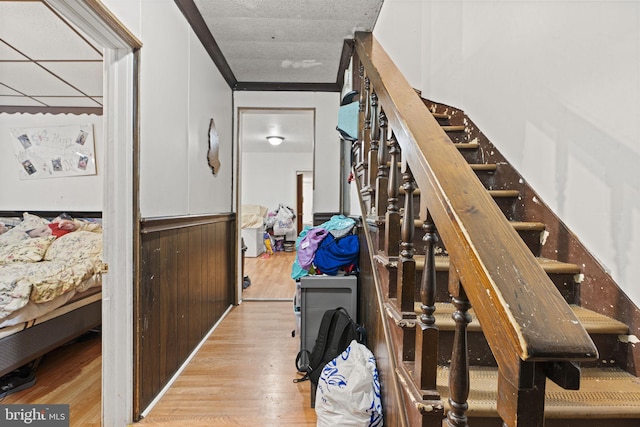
x=270, y=178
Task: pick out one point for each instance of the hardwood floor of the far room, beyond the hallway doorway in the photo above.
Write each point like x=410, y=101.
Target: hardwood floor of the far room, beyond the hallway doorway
x=270, y=276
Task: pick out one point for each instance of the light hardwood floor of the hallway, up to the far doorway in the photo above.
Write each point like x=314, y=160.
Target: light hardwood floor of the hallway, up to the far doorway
x=242, y=375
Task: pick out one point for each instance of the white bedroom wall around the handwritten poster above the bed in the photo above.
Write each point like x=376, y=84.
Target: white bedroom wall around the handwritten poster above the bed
x=77, y=193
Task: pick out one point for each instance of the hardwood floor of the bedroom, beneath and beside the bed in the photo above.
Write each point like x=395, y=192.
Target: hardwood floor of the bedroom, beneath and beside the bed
x=71, y=375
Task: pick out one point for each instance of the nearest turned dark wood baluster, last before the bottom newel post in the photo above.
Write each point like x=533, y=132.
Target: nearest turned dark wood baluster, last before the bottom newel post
x=459, y=370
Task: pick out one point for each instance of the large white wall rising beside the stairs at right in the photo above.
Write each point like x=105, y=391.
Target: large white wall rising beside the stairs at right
x=556, y=86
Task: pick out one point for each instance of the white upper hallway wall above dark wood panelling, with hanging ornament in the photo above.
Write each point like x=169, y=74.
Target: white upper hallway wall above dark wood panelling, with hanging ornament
x=180, y=91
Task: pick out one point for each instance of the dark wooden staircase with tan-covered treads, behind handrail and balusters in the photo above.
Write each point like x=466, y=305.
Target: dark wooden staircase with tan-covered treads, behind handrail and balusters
x=609, y=391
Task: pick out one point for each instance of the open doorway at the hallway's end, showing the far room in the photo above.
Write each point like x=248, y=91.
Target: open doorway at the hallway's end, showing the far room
x=274, y=180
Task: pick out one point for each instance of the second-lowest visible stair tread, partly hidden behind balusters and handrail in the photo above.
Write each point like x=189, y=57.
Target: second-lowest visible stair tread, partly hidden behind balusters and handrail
x=593, y=322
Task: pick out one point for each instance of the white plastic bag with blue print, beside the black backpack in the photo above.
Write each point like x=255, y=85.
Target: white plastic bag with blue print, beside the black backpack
x=348, y=391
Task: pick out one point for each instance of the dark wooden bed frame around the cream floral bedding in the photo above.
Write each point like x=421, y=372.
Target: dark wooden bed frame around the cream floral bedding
x=29, y=344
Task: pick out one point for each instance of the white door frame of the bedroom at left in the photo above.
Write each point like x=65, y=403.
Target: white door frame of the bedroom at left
x=120, y=197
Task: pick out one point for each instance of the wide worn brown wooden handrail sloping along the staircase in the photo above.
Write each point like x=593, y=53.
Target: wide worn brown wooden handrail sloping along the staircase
x=524, y=316
